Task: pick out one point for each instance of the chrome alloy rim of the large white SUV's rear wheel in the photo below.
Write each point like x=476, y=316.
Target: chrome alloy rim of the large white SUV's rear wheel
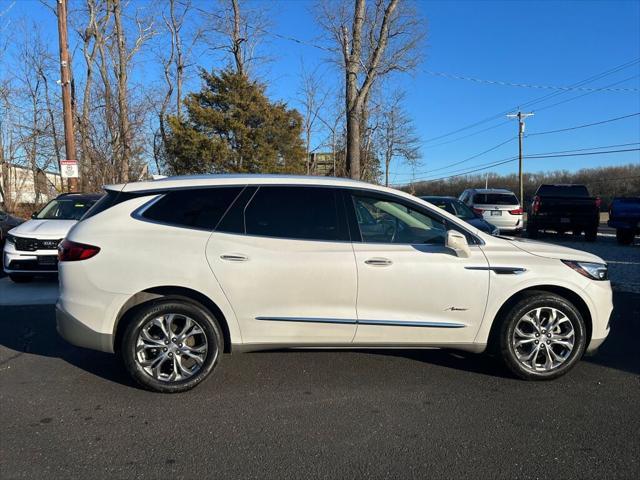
x=171, y=347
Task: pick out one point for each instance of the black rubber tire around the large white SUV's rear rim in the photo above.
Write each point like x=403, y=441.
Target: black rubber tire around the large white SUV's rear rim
x=147, y=312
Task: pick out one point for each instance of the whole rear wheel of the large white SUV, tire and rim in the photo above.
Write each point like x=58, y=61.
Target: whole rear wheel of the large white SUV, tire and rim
x=171, y=345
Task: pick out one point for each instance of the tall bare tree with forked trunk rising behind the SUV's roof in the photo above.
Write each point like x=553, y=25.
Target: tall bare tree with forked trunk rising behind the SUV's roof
x=372, y=42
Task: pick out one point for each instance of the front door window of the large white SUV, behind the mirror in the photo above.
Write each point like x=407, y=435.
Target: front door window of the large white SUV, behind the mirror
x=384, y=221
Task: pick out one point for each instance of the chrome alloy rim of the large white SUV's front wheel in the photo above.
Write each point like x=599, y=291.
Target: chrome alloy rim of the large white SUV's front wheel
x=543, y=339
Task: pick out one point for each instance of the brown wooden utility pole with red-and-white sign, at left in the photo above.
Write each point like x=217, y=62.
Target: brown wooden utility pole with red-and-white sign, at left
x=65, y=79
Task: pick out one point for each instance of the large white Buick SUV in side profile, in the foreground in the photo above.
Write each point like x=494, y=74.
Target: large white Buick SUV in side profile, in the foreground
x=172, y=273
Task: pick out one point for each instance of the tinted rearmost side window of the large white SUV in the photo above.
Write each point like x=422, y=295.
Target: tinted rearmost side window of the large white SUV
x=196, y=208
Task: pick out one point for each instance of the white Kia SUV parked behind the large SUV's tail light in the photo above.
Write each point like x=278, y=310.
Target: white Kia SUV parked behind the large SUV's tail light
x=31, y=248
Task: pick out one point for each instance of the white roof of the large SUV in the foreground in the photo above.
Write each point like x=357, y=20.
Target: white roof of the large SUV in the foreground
x=238, y=179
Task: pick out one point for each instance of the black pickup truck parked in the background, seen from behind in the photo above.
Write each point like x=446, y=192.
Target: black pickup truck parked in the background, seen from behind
x=564, y=208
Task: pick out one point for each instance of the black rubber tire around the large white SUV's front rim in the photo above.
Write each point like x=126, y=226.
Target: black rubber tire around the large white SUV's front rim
x=532, y=301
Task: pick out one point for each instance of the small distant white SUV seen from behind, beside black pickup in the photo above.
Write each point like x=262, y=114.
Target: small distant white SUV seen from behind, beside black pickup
x=497, y=206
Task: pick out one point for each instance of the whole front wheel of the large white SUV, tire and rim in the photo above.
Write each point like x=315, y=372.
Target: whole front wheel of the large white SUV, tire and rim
x=542, y=337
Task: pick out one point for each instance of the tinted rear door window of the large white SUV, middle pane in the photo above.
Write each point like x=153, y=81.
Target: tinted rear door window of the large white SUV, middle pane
x=309, y=213
